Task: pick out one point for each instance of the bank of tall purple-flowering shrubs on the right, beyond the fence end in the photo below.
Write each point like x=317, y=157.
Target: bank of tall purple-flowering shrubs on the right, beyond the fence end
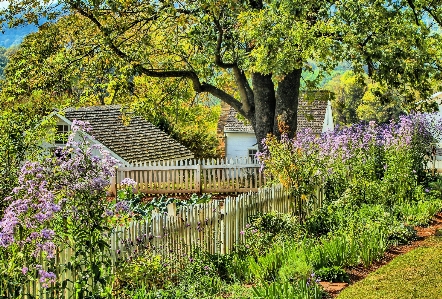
x=369, y=163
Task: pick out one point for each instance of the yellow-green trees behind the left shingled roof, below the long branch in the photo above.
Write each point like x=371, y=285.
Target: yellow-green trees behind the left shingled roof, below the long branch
x=46, y=73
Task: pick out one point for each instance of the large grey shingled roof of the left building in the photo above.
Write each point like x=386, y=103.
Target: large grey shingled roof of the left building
x=138, y=141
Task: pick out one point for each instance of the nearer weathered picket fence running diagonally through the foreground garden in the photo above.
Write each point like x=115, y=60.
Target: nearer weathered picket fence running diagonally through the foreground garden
x=216, y=227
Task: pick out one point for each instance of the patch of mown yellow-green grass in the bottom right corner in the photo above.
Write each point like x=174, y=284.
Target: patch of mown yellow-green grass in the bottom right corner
x=416, y=274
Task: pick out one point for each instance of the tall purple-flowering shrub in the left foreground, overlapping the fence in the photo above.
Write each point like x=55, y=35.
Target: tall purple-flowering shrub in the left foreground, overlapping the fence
x=61, y=203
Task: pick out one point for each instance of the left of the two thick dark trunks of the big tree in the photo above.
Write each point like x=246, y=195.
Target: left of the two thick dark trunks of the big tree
x=265, y=103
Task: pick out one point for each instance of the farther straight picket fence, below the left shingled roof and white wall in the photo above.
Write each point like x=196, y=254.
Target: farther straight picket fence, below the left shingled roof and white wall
x=193, y=176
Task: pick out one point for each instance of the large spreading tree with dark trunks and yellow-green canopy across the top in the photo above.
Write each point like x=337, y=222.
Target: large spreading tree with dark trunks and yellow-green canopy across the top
x=252, y=54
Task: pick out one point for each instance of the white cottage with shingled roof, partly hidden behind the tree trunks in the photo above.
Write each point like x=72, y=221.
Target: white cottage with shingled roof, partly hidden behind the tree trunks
x=238, y=139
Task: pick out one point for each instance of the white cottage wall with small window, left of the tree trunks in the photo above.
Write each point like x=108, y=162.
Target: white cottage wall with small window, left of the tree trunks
x=238, y=144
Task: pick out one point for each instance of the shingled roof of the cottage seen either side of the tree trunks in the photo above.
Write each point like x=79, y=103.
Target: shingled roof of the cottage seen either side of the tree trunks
x=311, y=114
